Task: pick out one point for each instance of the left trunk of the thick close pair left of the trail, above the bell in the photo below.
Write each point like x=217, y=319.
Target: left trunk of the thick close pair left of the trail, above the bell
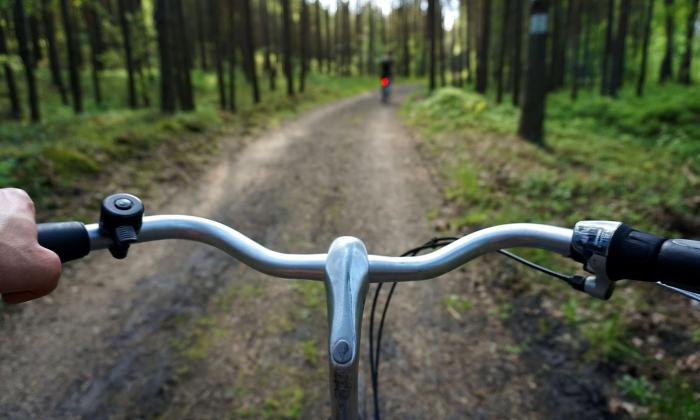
x=162, y=18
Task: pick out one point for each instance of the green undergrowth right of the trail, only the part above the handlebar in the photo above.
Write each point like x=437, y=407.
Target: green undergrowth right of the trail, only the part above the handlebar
x=600, y=154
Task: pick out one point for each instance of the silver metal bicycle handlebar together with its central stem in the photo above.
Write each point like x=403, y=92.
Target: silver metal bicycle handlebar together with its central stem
x=346, y=270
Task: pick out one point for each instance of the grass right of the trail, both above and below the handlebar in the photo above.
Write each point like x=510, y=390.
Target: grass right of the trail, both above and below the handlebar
x=631, y=159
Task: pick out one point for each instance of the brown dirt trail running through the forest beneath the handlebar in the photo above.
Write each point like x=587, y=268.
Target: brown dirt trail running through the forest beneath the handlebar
x=181, y=331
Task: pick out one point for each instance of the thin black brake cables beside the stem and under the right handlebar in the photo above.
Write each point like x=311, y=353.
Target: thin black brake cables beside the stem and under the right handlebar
x=575, y=281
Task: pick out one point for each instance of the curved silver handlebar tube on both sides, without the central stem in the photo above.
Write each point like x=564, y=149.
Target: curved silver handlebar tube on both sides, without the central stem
x=312, y=266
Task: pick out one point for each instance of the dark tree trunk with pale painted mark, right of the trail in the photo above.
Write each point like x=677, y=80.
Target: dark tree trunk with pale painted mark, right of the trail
x=531, y=125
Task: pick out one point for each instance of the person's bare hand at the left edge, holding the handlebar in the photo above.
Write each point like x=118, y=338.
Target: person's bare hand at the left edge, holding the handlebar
x=27, y=270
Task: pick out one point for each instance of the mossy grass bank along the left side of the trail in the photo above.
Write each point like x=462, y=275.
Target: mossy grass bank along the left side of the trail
x=68, y=159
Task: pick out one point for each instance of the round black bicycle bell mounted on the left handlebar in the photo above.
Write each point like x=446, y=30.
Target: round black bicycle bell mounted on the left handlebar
x=121, y=217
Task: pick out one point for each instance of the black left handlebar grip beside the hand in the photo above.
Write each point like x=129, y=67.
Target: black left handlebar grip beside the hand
x=69, y=240
